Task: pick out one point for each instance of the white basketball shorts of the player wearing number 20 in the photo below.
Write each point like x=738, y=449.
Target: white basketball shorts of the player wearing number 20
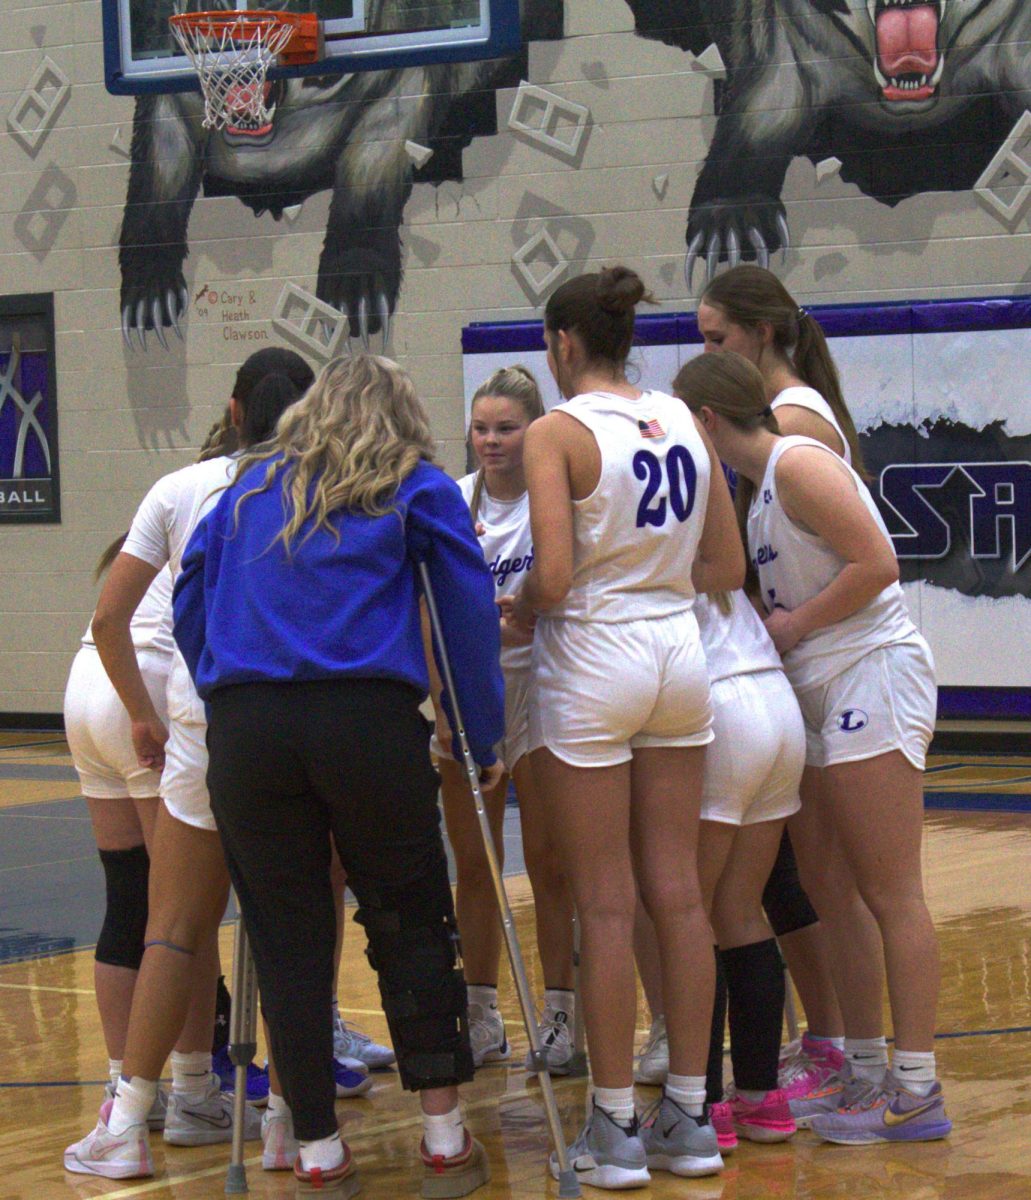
x=604, y=691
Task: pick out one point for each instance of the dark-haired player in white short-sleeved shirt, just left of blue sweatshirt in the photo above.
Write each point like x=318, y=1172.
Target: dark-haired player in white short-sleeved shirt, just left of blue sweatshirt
x=183, y=923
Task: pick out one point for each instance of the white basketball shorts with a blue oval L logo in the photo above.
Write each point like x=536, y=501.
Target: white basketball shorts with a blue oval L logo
x=886, y=701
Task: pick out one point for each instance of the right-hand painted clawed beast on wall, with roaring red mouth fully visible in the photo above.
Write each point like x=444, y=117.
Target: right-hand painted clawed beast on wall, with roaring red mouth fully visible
x=910, y=95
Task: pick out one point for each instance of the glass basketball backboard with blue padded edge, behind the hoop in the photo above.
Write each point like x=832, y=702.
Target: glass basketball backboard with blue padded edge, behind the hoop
x=142, y=56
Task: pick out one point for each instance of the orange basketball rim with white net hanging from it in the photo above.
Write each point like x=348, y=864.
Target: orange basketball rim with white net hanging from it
x=232, y=58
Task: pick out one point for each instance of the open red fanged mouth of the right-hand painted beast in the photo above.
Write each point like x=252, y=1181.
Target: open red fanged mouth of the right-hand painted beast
x=909, y=62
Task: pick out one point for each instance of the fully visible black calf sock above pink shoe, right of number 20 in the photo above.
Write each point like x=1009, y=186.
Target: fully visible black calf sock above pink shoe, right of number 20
x=756, y=992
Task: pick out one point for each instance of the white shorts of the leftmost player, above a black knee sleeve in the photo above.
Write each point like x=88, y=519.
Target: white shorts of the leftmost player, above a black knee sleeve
x=99, y=730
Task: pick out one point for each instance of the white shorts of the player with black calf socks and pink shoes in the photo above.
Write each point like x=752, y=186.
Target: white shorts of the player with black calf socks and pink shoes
x=754, y=766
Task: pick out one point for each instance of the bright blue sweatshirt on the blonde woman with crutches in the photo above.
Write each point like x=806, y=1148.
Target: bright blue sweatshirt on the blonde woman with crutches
x=247, y=611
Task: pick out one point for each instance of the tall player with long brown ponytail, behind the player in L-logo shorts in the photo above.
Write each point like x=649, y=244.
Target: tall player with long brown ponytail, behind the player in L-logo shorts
x=750, y=311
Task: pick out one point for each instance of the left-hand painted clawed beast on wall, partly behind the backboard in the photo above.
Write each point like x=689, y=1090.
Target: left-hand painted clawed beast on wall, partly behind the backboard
x=346, y=134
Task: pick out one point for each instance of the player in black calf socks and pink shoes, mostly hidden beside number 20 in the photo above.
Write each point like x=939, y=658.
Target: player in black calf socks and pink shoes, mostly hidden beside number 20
x=753, y=771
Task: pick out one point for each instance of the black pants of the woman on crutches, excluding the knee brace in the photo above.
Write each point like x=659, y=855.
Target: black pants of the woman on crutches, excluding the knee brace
x=291, y=764
